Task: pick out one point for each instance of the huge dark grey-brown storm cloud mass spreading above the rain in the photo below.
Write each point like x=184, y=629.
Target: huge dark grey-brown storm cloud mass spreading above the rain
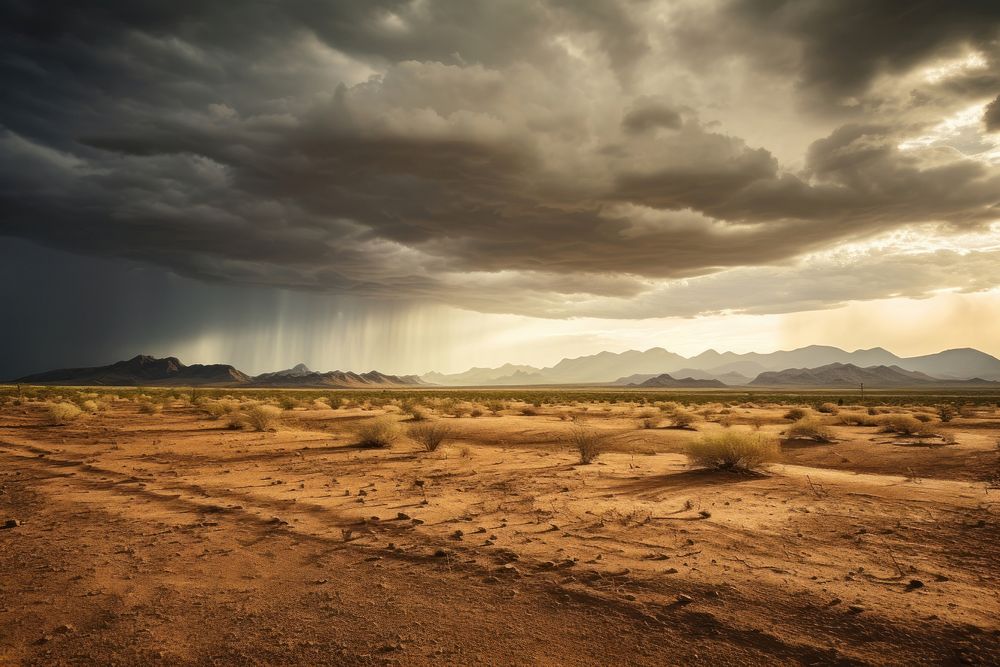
x=397, y=148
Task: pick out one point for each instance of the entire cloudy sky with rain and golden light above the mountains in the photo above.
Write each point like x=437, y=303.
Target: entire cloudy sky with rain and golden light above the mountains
x=415, y=185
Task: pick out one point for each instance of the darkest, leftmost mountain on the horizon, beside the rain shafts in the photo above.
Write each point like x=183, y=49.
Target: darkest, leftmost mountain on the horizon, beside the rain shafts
x=143, y=370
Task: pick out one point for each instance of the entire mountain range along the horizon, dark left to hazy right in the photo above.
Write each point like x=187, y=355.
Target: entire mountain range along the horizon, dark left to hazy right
x=812, y=366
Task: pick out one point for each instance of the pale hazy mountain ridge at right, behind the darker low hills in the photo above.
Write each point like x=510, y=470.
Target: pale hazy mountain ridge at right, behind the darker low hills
x=730, y=367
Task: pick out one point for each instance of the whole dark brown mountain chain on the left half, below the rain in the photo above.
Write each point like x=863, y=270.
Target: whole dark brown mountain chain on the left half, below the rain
x=144, y=370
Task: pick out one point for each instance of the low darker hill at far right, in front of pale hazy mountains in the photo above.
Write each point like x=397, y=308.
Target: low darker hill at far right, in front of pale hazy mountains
x=849, y=375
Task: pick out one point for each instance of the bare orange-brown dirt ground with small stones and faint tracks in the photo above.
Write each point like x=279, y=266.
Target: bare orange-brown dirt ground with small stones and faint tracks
x=170, y=539
